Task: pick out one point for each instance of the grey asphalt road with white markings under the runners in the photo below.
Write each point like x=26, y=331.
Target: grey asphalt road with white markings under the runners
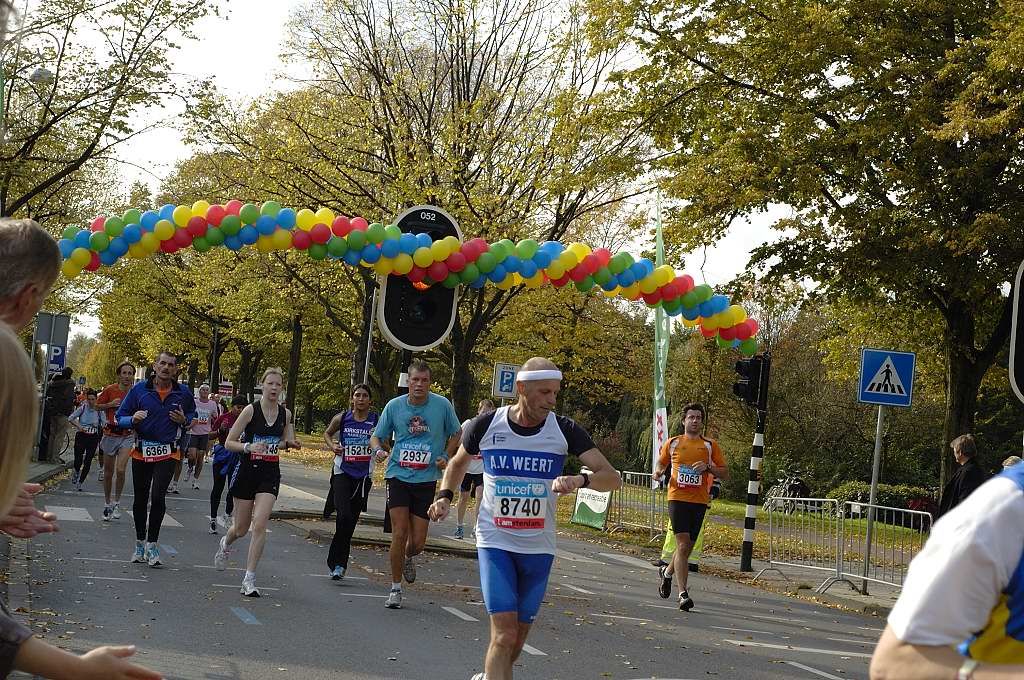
x=603, y=617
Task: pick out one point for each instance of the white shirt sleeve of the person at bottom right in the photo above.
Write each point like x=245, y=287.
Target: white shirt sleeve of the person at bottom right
x=955, y=583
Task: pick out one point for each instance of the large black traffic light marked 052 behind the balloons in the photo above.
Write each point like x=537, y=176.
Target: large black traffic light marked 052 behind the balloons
x=413, y=316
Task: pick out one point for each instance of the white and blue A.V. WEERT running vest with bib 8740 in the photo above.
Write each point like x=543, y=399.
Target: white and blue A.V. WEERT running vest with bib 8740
x=519, y=509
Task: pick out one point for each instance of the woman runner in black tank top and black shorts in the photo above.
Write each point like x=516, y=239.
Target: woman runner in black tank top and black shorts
x=262, y=430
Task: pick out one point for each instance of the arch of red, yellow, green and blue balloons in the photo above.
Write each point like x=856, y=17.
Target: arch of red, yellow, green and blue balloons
x=386, y=249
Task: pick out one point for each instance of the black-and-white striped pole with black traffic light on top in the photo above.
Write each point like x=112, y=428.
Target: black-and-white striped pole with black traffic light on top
x=753, y=390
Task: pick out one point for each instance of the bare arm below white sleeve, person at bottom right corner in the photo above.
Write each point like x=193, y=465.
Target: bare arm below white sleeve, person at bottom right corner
x=895, y=660
